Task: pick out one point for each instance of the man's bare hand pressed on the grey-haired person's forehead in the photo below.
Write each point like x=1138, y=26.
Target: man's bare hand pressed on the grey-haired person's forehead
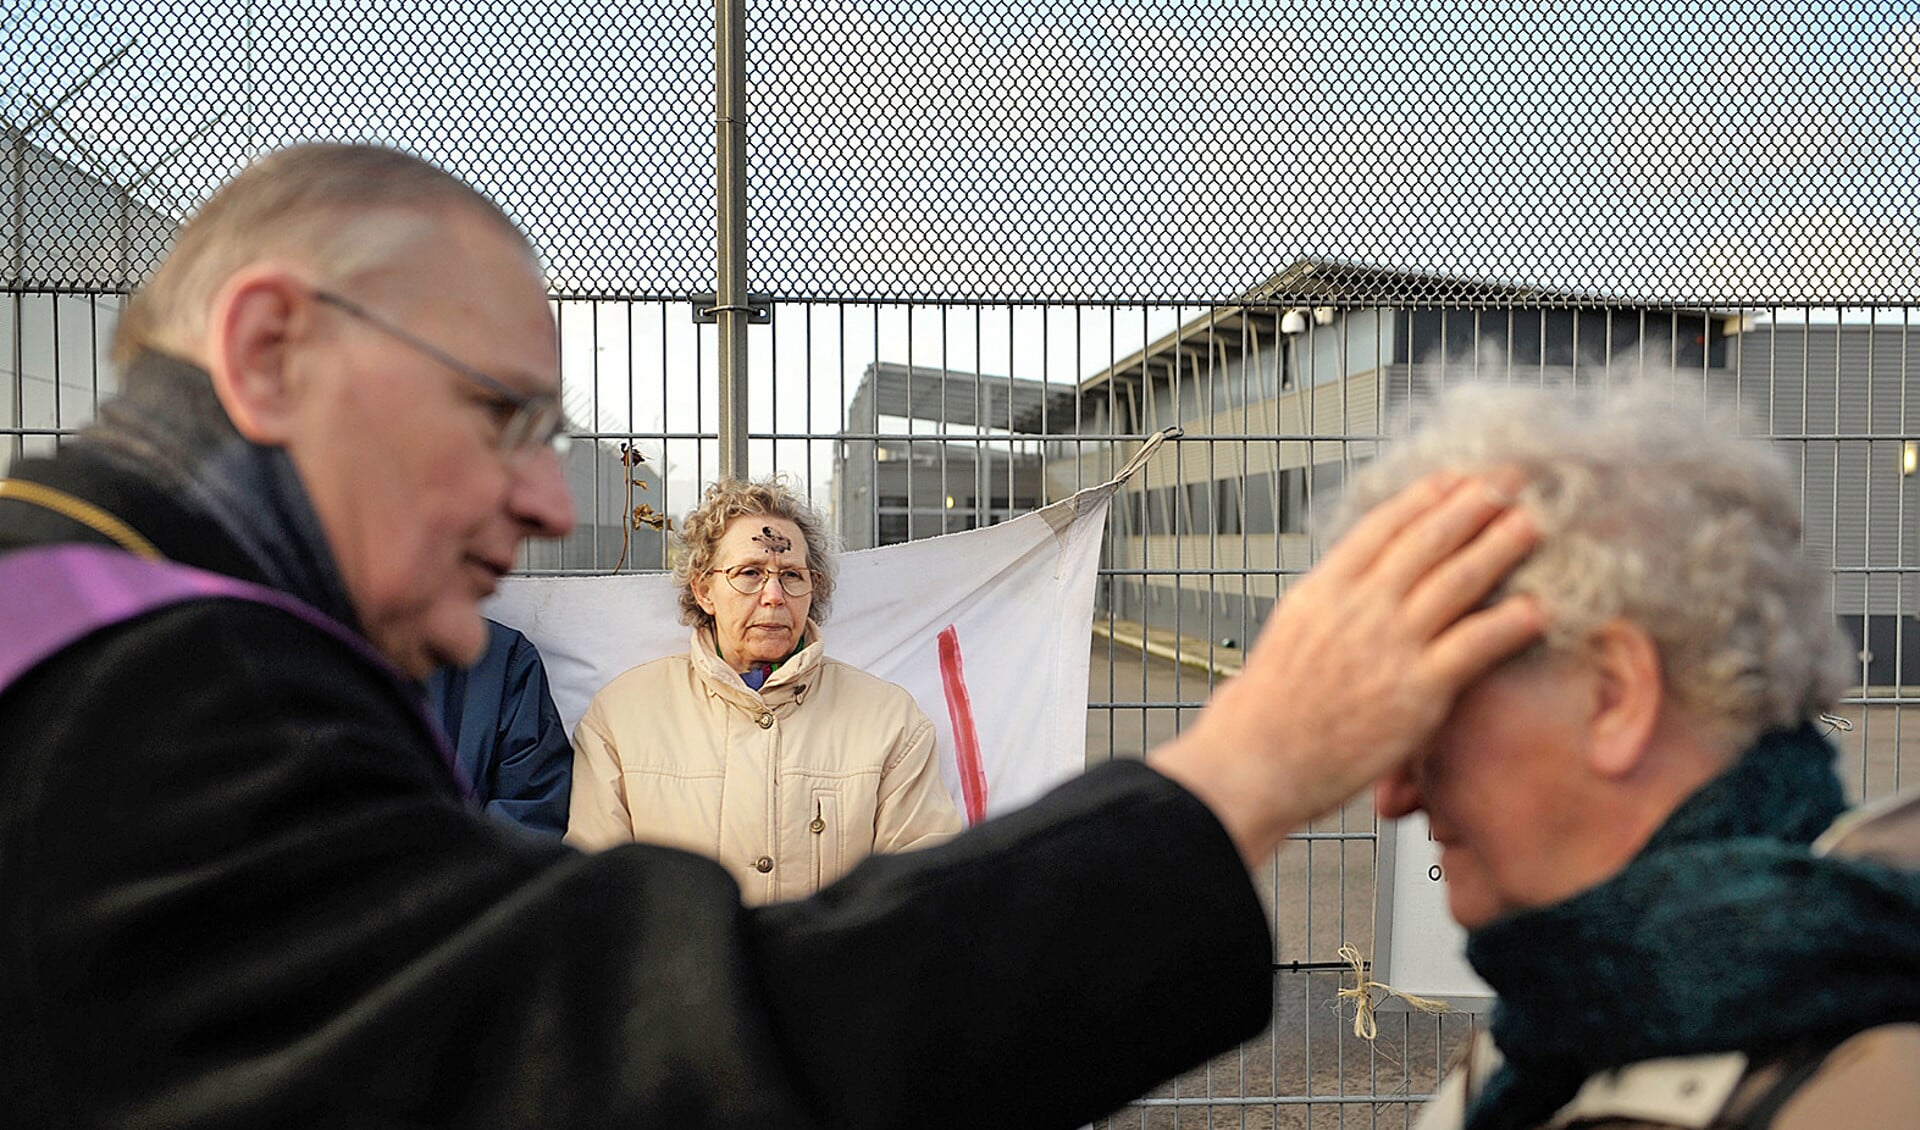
x=1362, y=659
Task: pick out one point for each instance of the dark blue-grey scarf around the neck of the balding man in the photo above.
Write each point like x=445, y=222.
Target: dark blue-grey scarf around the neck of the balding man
x=170, y=427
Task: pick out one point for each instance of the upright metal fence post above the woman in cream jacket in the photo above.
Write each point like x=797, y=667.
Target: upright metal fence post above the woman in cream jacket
x=731, y=291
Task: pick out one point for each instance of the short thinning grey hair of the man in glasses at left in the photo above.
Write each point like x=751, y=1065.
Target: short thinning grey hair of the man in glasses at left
x=345, y=210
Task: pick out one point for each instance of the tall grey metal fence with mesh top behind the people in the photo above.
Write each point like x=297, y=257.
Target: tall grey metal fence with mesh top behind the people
x=1005, y=243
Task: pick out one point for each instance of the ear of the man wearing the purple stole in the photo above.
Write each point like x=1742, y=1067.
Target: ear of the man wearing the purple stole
x=256, y=319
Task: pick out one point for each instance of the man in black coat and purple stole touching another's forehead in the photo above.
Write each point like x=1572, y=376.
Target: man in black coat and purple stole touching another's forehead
x=239, y=880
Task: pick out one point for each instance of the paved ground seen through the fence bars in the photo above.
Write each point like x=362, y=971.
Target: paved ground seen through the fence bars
x=1310, y=1071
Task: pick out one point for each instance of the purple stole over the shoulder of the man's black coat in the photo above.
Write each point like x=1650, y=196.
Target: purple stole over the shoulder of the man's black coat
x=57, y=596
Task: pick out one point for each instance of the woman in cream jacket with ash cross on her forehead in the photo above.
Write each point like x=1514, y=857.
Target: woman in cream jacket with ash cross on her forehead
x=756, y=747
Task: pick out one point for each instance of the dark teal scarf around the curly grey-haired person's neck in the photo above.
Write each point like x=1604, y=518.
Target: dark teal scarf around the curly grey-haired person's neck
x=1723, y=935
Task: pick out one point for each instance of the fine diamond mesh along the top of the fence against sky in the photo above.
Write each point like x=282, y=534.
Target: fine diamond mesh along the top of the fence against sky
x=1036, y=151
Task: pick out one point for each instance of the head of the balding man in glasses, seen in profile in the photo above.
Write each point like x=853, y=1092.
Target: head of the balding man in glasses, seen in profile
x=381, y=327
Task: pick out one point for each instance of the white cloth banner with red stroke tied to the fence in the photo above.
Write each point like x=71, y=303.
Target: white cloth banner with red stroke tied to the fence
x=990, y=630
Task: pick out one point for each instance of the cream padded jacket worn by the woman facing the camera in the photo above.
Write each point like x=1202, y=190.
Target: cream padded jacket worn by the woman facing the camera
x=786, y=788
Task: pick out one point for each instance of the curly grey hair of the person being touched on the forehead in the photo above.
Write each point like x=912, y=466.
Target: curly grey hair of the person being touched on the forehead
x=1656, y=511
